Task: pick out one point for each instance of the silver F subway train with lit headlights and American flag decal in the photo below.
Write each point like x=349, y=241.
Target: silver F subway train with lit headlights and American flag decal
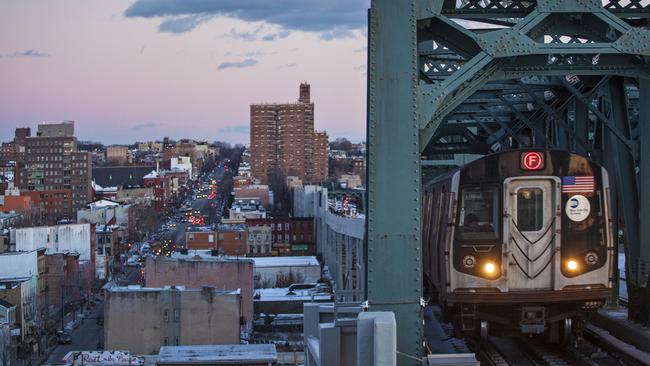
x=519, y=240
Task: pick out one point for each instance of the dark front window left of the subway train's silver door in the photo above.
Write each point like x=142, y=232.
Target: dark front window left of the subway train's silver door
x=478, y=213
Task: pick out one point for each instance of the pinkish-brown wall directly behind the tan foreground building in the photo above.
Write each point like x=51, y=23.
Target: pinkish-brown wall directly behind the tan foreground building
x=226, y=275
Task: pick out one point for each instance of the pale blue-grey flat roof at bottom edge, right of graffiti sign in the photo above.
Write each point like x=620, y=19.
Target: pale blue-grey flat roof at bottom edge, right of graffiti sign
x=218, y=354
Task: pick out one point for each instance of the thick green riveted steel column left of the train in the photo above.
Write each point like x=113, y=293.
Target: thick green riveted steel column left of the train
x=394, y=264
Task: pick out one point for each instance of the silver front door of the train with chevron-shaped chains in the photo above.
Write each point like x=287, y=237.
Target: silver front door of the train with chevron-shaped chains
x=530, y=227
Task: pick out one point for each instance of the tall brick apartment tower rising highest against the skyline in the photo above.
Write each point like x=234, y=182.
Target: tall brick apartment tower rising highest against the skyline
x=283, y=141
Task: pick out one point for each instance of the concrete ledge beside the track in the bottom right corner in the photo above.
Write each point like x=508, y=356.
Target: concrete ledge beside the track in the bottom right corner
x=614, y=320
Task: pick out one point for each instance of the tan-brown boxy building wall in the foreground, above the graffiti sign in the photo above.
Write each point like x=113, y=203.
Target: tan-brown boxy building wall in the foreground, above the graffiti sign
x=142, y=320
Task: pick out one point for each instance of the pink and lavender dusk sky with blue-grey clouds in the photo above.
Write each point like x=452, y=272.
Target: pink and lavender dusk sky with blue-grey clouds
x=140, y=70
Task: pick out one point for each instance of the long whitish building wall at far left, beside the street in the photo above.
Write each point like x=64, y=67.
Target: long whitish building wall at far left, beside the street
x=57, y=239
